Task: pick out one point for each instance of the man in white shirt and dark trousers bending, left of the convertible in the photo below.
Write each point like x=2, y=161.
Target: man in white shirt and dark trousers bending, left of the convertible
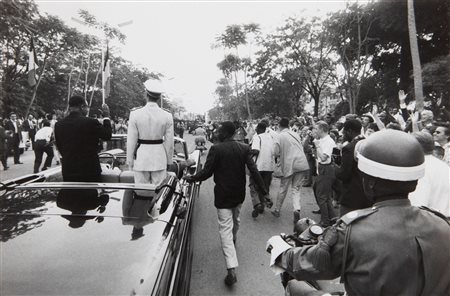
x=43, y=144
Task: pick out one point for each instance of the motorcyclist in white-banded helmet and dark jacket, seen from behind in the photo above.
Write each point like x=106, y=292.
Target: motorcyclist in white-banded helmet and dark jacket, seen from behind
x=392, y=248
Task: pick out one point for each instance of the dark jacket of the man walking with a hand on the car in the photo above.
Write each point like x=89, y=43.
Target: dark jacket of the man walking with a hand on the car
x=227, y=161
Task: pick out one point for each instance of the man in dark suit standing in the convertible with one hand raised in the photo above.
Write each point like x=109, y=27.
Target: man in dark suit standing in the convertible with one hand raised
x=77, y=139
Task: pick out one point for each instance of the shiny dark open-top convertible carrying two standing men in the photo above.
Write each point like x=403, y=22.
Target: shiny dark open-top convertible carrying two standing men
x=108, y=238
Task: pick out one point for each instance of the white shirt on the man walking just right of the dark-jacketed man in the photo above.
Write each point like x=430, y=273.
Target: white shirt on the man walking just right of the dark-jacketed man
x=265, y=161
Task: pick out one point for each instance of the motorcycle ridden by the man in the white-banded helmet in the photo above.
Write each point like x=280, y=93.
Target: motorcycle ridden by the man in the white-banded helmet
x=306, y=232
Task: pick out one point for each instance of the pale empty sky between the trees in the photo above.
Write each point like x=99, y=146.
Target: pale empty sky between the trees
x=175, y=37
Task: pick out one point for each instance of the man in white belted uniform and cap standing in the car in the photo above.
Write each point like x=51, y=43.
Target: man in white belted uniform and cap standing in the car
x=150, y=138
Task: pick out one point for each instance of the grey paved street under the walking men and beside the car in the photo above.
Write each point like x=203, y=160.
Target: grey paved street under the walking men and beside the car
x=208, y=270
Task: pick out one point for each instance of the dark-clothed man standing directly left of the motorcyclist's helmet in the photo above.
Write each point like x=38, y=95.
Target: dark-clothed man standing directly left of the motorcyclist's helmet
x=353, y=197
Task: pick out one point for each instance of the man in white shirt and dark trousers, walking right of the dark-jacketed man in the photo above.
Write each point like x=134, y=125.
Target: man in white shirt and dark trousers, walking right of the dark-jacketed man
x=263, y=149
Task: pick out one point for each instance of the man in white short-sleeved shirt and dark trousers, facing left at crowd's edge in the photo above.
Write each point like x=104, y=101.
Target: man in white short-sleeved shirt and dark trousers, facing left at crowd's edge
x=324, y=145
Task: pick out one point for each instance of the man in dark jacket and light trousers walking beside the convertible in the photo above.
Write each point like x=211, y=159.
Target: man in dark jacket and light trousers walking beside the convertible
x=227, y=160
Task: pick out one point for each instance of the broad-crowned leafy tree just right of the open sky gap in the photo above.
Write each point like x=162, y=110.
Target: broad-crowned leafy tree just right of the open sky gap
x=300, y=46
